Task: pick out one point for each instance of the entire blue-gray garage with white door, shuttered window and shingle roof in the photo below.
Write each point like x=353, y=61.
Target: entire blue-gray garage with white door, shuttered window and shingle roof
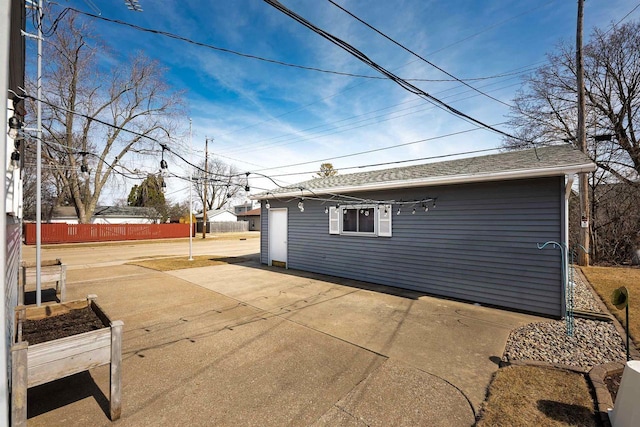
x=467, y=229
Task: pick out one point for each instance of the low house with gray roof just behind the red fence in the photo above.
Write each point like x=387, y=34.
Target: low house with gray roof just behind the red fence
x=107, y=215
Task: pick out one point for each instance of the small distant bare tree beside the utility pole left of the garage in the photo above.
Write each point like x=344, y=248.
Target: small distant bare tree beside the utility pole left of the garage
x=224, y=183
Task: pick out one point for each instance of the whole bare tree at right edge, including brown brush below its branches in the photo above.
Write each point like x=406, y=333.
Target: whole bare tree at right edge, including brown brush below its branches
x=545, y=111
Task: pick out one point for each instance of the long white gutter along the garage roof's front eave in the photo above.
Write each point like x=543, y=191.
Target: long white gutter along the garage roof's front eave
x=438, y=180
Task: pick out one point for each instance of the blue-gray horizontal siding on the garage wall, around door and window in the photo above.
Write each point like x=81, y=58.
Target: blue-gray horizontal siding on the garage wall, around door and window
x=478, y=244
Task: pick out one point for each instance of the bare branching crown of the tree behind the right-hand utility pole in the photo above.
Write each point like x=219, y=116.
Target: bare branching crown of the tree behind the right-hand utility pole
x=545, y=109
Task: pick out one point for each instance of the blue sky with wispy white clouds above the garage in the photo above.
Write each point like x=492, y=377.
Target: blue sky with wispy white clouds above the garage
x=265, y=117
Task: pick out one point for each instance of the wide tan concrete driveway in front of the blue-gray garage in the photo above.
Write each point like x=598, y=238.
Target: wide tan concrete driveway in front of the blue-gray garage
x=245, y=344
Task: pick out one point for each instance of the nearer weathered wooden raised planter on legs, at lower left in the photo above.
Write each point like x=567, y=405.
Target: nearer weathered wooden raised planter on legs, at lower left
x=46, y=361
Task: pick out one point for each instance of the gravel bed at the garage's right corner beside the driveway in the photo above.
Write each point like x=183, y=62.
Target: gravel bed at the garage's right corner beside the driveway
x=593, y=342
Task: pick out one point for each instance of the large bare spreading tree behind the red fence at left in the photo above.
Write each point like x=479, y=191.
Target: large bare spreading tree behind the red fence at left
x=88, y=107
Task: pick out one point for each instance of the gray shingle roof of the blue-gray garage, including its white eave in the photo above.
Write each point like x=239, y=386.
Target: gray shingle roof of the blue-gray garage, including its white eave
x=545, y=161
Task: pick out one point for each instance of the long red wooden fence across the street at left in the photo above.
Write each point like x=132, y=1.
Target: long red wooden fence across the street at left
x=78, y=233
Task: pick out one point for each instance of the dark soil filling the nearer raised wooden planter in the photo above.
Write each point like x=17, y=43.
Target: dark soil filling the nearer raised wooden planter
x=60, y=326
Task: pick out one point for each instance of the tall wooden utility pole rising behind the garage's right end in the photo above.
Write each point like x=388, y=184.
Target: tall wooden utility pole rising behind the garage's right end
x=583, y=180
